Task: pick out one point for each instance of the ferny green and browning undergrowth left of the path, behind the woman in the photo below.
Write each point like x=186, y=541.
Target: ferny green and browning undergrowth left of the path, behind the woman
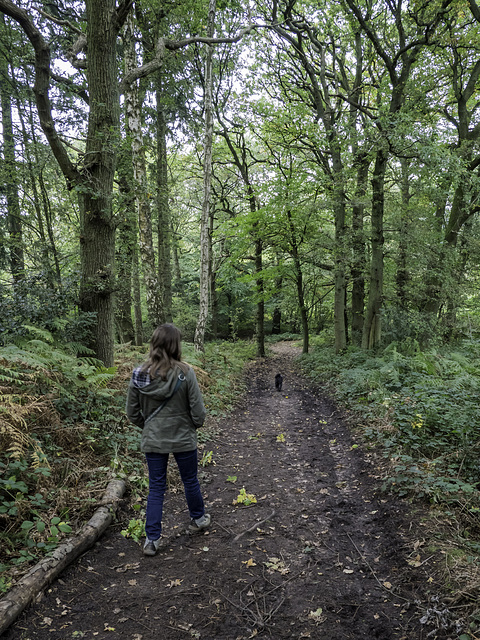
x=64, y=435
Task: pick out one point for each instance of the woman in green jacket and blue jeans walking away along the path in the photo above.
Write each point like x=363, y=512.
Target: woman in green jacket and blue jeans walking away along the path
x=165, y=400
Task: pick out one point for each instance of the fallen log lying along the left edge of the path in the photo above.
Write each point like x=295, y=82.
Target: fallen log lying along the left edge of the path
x=45, y=571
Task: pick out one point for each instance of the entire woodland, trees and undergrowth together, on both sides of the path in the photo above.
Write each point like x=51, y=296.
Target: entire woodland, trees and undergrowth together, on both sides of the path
x=252, y=172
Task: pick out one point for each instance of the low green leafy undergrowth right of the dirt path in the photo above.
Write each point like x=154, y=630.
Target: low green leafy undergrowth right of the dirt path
x=422, y=407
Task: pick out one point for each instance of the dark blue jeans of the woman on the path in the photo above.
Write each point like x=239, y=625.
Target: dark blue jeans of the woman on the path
x=157, y=477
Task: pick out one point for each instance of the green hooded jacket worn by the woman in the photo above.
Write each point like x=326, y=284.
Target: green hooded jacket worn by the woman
x=173, y=428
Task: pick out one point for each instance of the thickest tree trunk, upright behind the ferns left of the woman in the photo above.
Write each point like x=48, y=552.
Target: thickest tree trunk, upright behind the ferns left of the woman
x=97, y=221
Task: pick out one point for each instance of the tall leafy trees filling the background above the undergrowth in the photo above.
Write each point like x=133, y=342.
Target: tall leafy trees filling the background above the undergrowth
x=240, y=170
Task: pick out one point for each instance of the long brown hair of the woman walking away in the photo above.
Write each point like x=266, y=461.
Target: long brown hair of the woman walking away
x=165, y=351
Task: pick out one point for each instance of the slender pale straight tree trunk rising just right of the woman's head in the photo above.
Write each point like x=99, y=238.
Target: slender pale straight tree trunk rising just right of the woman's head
x=207, y=181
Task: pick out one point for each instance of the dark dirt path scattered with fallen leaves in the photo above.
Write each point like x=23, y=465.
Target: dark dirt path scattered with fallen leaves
x=320, y=555
